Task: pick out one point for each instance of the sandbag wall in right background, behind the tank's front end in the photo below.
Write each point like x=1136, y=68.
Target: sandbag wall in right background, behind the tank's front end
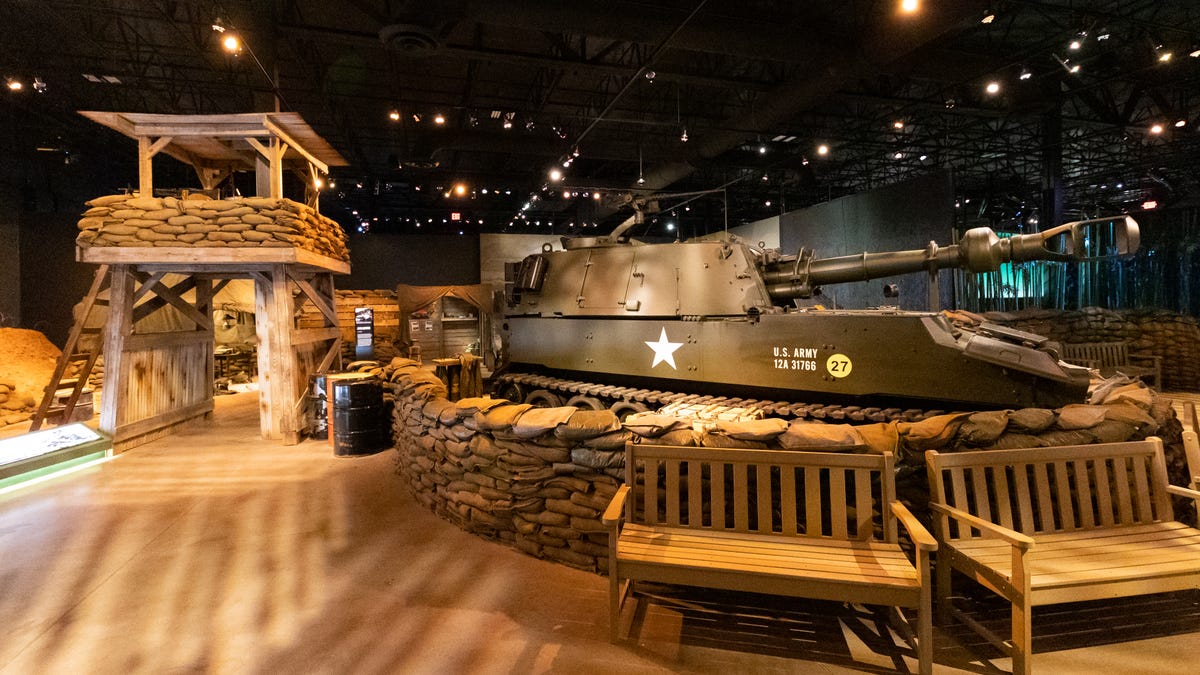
x=1174, y=337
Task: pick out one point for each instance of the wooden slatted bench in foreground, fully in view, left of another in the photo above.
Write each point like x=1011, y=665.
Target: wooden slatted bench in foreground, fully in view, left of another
x=800, y=524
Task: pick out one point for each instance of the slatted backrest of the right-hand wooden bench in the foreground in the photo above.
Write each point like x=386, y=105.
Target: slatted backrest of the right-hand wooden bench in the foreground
x=1043, y=491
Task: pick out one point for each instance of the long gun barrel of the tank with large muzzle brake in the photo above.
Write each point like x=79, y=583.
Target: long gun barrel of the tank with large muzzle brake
x=979, y=250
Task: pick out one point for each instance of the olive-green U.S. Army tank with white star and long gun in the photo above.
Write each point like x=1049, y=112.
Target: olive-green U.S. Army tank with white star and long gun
x=607, y=322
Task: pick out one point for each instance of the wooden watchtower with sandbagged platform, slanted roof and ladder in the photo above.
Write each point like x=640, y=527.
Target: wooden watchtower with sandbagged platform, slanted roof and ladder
x=173, y=254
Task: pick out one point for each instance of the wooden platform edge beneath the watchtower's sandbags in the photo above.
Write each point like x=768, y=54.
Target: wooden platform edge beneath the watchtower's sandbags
x=211, y=259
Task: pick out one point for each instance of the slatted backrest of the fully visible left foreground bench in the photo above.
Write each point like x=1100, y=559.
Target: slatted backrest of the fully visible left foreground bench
x=807, y=494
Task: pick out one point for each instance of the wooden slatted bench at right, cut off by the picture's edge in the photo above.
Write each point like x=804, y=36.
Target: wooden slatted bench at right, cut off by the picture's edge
x=1054, y=525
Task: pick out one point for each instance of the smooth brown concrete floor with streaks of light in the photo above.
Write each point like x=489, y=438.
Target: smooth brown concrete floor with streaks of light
x=213, y=551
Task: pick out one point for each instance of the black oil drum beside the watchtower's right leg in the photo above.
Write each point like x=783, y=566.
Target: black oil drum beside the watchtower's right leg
x=361, y=419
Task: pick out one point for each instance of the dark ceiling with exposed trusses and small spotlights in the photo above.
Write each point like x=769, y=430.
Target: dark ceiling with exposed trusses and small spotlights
x=759, y=86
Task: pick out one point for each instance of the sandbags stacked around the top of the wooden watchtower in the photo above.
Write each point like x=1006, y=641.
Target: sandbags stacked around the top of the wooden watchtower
x=196, y=222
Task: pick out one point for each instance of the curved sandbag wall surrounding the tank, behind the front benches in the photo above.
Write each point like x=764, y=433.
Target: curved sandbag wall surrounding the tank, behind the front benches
x=538, y=480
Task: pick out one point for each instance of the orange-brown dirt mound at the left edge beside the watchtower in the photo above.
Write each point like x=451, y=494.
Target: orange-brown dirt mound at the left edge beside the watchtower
x=27, y=363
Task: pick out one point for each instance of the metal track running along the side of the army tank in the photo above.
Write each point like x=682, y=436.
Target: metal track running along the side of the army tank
x=611, y=396
